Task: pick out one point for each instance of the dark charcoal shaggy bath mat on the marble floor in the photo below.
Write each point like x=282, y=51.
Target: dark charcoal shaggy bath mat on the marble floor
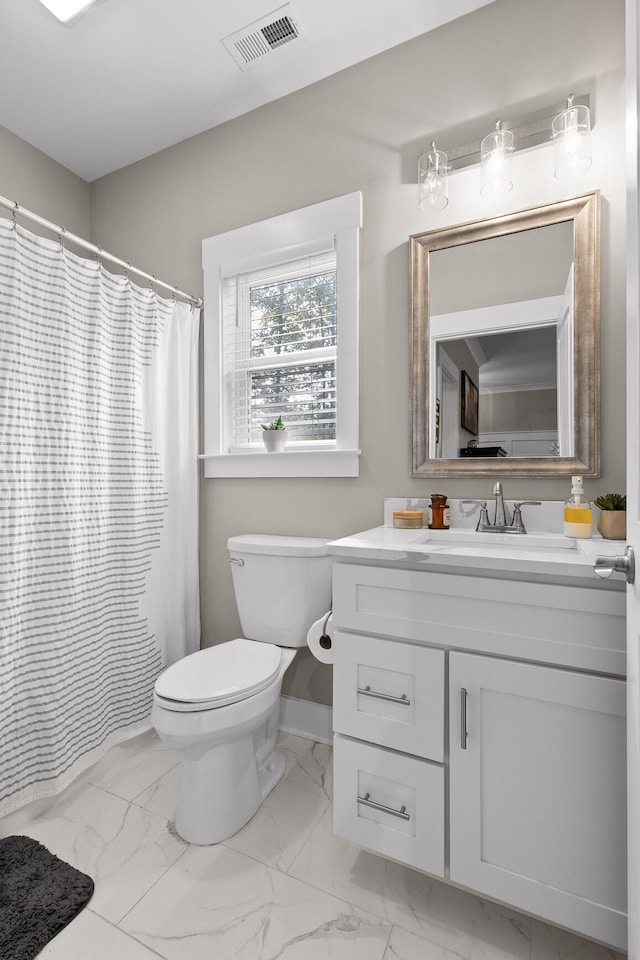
x=39, y=895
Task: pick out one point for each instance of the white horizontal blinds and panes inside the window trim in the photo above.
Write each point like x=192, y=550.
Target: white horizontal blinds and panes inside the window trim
x=279, y=345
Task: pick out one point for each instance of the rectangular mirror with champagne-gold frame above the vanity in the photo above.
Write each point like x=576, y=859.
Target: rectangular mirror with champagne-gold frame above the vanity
x=505, y=344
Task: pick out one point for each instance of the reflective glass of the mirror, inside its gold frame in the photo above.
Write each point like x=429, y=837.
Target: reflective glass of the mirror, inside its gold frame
x=508, y=329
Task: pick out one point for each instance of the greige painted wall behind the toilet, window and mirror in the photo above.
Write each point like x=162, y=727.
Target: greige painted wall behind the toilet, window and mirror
x=364, y=129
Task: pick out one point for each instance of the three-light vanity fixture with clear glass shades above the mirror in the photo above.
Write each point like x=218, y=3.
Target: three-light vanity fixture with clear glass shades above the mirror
x=566, y=124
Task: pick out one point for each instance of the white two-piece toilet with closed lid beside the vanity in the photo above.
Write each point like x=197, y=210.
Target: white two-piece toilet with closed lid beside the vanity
x=219, y=708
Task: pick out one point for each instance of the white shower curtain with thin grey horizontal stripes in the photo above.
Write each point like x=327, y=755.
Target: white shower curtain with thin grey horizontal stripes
x=98, y=508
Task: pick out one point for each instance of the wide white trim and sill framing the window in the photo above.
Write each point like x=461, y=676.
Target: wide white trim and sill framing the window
x=264, y=244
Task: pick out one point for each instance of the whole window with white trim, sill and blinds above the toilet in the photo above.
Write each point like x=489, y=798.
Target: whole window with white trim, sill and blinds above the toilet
x=281, y=326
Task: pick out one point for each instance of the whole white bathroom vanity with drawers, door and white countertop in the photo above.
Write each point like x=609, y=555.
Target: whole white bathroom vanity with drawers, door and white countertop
x=479, y=717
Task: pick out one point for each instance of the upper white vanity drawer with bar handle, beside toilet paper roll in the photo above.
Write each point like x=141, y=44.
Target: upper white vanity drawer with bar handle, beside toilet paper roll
x=389, y=693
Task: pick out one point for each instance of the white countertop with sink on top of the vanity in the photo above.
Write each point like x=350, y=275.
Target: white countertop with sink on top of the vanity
x=547, y=555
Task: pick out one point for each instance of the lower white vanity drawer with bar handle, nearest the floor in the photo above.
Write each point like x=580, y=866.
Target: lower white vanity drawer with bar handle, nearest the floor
x=389, y=803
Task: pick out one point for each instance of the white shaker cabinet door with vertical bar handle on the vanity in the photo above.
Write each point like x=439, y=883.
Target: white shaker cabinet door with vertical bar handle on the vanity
x=537, y=789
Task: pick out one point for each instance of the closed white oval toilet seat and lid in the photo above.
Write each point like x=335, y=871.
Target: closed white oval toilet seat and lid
x=219, y=675
